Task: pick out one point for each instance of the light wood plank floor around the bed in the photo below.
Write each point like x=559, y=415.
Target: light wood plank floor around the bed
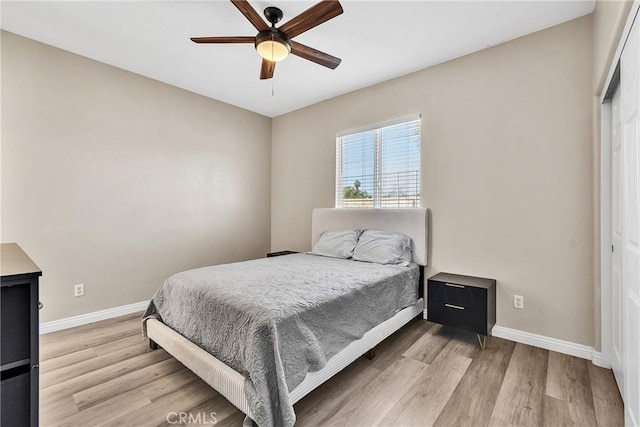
x=424, y=374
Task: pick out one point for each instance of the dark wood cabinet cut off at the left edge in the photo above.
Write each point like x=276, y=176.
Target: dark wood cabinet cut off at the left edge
x=18, y=338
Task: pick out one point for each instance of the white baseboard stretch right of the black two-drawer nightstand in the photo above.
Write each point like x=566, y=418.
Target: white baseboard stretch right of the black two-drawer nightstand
x=548, y=343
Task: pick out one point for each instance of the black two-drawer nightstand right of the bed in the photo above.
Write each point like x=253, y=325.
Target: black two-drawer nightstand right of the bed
x=464, y=302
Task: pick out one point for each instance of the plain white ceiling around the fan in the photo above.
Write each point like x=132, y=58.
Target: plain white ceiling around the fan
x=377, y=41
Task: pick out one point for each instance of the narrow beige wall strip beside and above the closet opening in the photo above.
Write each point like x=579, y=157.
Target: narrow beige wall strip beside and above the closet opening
x=609, y=17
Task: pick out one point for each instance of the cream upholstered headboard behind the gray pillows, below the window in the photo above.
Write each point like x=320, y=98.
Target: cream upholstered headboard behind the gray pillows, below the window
x=412, y=222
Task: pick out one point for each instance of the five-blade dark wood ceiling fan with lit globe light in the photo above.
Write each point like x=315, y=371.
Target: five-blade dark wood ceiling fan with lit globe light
x=274, y=44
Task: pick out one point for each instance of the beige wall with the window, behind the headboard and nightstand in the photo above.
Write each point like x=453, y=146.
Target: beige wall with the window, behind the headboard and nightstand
x=506, y=170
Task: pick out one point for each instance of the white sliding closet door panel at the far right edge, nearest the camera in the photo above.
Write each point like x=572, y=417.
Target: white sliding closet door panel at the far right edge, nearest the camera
x=630, y=163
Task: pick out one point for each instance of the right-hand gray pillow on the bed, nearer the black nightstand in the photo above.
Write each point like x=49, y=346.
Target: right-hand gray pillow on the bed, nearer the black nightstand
x=383, y=247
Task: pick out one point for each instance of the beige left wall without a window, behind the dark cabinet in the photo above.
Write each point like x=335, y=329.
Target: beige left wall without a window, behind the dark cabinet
x=117, y=181
